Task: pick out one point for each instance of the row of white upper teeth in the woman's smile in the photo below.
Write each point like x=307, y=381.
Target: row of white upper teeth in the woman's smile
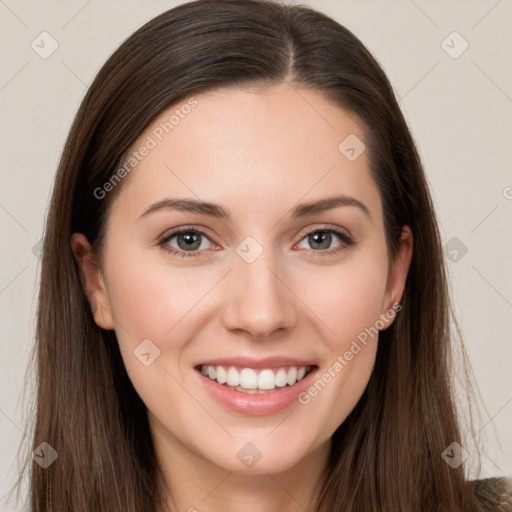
x=248, y=378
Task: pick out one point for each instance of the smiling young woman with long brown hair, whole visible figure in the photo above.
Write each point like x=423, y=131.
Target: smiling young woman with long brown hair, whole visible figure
x=243, y=300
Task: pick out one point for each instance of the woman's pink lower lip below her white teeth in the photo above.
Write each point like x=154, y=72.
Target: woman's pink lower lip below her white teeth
x=256, y=404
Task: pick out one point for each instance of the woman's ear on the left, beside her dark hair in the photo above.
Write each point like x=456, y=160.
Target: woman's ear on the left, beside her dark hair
x=92, y=281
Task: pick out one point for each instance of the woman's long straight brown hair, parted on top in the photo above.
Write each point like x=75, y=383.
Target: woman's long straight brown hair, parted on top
x=386, y=456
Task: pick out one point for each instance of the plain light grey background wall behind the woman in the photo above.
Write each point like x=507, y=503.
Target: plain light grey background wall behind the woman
x=459, y=110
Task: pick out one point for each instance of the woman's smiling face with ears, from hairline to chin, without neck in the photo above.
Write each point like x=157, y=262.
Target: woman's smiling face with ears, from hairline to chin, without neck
x=260, y=282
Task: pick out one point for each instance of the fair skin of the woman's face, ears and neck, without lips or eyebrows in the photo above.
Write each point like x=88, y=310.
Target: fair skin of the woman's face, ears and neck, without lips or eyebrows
x=258, y=154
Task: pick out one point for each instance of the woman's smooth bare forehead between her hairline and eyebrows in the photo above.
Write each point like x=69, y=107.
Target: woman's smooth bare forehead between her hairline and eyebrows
x=250, y=149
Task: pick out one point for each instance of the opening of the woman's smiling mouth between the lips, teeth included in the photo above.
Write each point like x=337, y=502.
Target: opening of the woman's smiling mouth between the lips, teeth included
x=255, y=381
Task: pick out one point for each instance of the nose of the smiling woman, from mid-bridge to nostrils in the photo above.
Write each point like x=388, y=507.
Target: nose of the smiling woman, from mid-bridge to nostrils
x=257, y=298
